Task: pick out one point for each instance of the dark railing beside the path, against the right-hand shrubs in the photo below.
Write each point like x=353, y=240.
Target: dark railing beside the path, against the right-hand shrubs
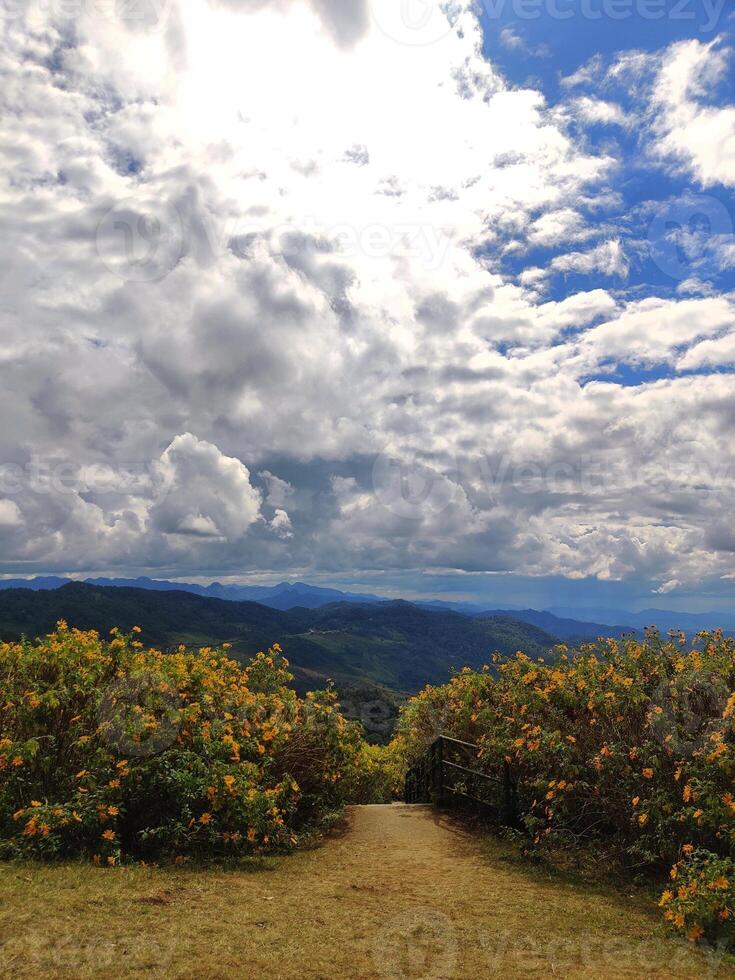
x=442, y=779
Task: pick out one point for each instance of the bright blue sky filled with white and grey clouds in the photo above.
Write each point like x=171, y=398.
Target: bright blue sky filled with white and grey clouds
x=425, y=299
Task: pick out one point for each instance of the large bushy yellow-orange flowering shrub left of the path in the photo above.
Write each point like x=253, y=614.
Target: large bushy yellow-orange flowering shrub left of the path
x=110, y=749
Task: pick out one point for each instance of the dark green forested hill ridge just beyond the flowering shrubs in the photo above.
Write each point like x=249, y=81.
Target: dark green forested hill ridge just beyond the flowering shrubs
x=395, y=644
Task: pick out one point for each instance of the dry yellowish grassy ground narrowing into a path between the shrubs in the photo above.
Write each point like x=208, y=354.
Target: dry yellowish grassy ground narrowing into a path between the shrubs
x=402, y=893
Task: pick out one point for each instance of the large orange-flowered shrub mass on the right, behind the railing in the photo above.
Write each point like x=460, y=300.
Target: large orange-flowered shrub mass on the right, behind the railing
x=629, y=741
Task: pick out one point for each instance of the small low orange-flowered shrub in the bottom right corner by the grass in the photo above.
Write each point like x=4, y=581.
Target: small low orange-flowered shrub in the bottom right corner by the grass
x=701, y=900
